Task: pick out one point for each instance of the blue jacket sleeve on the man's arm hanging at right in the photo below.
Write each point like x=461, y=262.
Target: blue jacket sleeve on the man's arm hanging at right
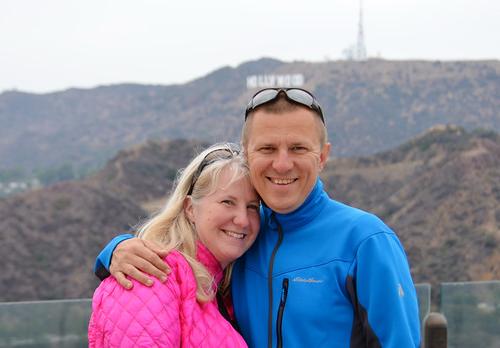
x=387, y=297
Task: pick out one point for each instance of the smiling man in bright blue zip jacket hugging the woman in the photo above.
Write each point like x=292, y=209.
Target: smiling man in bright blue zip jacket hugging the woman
x=321, y=274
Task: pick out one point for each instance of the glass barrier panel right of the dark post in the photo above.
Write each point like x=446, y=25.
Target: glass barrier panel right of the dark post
x=472, y=310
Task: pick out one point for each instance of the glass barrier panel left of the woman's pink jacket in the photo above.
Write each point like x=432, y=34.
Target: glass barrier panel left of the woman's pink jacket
x=45, y=324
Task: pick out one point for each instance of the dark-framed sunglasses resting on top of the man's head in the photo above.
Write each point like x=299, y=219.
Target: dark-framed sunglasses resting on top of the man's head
x=296, y=95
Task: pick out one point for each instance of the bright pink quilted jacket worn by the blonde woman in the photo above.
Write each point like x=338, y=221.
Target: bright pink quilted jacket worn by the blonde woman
x=164, y=315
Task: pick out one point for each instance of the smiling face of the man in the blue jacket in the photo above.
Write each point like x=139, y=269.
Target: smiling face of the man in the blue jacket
x=285, y=156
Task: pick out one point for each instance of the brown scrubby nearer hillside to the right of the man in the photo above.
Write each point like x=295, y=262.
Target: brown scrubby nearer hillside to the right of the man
x=441, y=193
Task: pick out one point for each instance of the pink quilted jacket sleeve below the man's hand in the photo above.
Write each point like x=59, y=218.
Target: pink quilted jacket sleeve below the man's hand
x=140, y=317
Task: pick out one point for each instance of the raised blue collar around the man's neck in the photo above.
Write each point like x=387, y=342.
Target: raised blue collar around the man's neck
x=302, y=215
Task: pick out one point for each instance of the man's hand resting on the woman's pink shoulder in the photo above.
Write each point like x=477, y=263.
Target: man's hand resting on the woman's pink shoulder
x=136, y=257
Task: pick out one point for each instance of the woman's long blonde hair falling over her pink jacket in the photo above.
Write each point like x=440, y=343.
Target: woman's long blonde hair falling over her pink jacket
x=172, y=228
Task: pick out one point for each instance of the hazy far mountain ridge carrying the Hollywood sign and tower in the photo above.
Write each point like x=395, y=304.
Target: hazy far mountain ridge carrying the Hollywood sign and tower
x=370, y=106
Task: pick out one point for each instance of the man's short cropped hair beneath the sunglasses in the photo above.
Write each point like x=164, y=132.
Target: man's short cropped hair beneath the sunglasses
x=281, y=106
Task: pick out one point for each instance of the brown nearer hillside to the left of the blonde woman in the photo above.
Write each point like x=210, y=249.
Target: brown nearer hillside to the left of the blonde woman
x=50, y=237
